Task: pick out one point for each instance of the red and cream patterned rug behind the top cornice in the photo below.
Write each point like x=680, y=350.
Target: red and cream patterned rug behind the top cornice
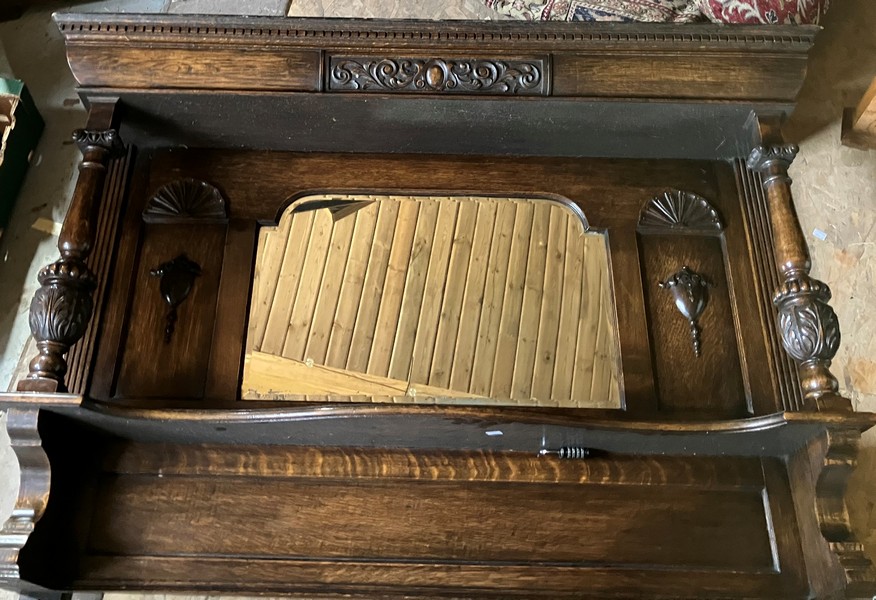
x=772, y=12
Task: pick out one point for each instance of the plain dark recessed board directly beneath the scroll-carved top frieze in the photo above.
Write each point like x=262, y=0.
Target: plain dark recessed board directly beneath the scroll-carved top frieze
x=461, y=125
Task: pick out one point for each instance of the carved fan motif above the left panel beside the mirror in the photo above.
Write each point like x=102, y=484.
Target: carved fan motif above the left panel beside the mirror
x=185, y=199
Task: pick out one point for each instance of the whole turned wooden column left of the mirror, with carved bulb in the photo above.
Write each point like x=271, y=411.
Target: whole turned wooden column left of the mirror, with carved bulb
x=62, y=306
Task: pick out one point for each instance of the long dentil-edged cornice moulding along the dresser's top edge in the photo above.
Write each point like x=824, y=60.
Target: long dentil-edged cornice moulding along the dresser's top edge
x=330, y=33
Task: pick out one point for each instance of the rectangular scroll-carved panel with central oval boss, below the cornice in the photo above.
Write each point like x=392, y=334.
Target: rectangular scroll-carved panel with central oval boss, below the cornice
x=439, y=75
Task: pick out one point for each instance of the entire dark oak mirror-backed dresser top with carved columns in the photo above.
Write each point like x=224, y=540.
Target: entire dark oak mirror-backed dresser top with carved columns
x=433, y=309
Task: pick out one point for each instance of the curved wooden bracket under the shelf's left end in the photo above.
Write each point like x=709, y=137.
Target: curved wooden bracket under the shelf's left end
x=33, y=493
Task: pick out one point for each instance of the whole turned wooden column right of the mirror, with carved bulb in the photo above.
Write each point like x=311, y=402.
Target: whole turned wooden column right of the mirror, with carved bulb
x=807, y=324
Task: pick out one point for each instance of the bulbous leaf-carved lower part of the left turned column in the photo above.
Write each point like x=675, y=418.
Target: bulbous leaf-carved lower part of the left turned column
x=59, y=314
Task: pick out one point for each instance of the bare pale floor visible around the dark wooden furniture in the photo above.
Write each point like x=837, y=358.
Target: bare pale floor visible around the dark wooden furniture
x=835, y=186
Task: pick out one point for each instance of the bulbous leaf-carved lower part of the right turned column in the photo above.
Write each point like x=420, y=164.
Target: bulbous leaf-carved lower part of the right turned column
x=810, y=332
